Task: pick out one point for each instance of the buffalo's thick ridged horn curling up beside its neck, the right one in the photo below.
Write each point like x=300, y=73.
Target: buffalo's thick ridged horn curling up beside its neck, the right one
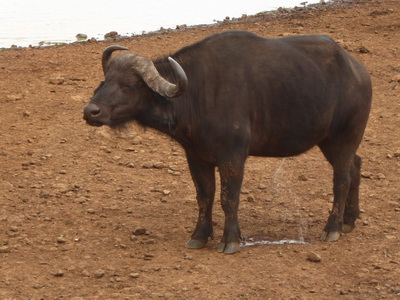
x=146, y=69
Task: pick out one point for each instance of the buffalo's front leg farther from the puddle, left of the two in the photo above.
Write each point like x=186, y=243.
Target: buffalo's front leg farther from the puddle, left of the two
x=203, y=176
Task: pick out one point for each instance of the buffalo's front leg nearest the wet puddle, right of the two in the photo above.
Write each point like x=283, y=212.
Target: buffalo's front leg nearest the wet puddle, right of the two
x=231, y=173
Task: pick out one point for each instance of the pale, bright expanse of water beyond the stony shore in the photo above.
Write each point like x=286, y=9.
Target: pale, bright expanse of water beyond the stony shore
x=29, y=22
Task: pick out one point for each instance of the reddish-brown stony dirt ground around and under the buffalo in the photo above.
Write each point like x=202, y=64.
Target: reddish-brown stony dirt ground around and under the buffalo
x=87, y=213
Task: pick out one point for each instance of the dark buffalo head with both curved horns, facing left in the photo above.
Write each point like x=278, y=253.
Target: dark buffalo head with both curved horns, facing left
x=130, y=82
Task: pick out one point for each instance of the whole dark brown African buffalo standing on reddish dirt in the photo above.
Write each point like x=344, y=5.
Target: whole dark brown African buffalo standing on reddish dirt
x=236, y=94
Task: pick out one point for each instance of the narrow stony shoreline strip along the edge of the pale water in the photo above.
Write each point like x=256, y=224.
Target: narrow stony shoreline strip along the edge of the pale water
x=280, y=13
